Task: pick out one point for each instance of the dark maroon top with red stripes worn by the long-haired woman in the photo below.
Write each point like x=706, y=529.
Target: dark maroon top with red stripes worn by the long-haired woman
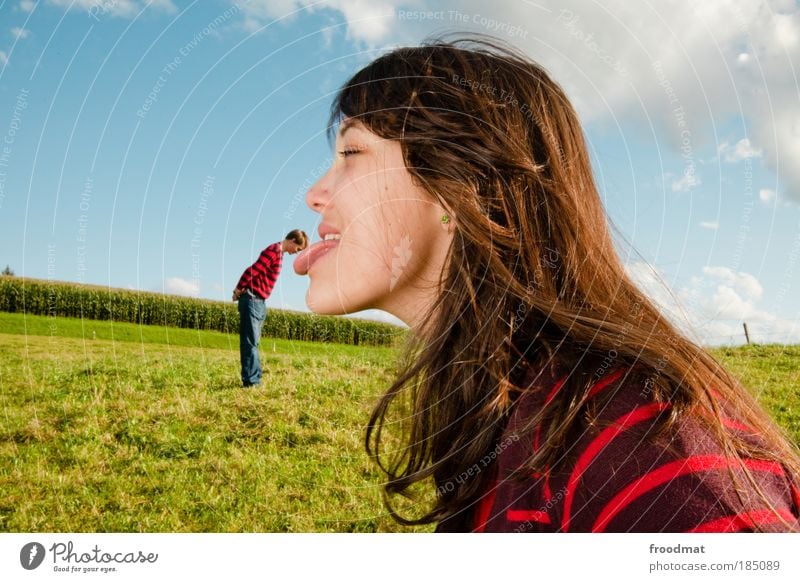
x=616, y=478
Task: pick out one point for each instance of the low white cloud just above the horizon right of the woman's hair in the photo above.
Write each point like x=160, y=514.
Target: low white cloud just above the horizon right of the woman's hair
x=712, y=307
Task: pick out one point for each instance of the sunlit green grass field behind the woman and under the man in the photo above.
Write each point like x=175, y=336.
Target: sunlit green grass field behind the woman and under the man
x=150, y=431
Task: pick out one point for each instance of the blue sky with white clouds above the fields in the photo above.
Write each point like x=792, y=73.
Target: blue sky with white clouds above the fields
x=160, y=145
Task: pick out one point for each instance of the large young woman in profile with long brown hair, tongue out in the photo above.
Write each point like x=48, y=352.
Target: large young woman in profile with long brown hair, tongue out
x=543, y=391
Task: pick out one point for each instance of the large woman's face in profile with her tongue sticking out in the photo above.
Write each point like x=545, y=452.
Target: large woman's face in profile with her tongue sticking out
x=388, y=243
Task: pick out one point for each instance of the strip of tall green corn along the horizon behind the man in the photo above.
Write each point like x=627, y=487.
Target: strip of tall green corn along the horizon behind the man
x=57, y=299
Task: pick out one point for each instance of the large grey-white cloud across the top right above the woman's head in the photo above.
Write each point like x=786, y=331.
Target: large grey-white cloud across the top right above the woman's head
x=673, y=65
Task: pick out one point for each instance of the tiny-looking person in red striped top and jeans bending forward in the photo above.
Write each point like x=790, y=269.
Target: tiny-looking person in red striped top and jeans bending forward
x=254, y=287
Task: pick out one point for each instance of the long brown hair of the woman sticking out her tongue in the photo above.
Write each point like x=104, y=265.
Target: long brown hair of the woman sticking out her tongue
x=532, y=276
